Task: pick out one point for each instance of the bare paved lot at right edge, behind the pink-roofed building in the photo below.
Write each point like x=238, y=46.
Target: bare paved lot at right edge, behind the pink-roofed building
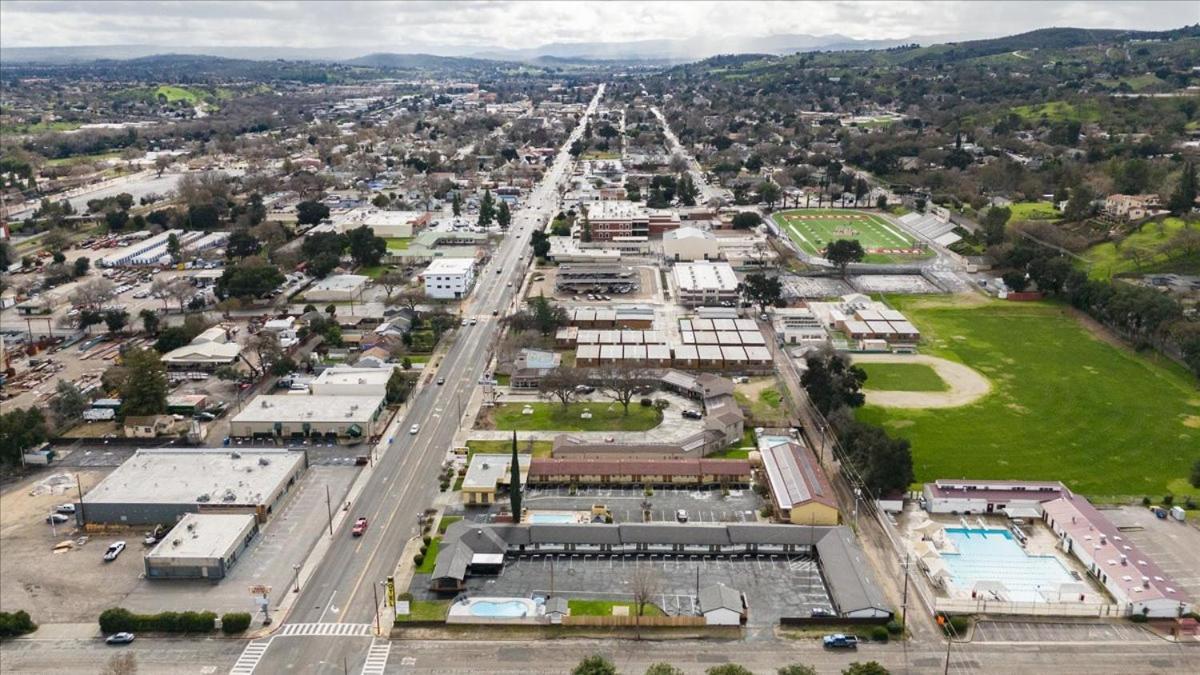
x=1169, y=543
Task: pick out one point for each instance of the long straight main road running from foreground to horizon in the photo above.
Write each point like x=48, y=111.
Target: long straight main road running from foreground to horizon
x=405, y=481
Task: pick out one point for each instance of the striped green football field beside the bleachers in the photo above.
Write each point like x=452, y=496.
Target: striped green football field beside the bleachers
x=813, y=230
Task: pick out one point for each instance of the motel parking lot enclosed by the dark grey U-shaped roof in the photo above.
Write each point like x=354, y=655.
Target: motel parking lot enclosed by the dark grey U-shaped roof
x=775, y=586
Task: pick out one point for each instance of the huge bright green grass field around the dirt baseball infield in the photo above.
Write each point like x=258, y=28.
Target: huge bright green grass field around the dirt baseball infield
x=1065, y=407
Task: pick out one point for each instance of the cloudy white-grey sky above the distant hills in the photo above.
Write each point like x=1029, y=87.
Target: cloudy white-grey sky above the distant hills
x=469, y=27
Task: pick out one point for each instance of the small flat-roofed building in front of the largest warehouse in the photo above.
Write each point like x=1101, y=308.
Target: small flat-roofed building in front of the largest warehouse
x=202, y=547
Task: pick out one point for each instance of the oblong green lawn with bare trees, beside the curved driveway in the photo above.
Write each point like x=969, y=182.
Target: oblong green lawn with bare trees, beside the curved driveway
x=607, y=416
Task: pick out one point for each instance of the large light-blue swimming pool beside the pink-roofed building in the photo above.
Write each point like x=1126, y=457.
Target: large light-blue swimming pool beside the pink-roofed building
x=992, y=555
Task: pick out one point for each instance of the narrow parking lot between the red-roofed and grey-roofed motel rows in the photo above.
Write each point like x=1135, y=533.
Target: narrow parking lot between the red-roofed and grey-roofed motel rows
x=626, y=504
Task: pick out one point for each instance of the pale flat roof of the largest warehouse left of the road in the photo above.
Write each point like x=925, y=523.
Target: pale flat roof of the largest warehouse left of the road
x=175, y=477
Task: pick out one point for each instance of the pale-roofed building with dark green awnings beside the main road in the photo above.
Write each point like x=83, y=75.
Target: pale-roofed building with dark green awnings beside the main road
x=334, y=417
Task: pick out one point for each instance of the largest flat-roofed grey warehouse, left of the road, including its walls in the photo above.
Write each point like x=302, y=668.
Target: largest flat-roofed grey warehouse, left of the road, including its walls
x=161, y=487
